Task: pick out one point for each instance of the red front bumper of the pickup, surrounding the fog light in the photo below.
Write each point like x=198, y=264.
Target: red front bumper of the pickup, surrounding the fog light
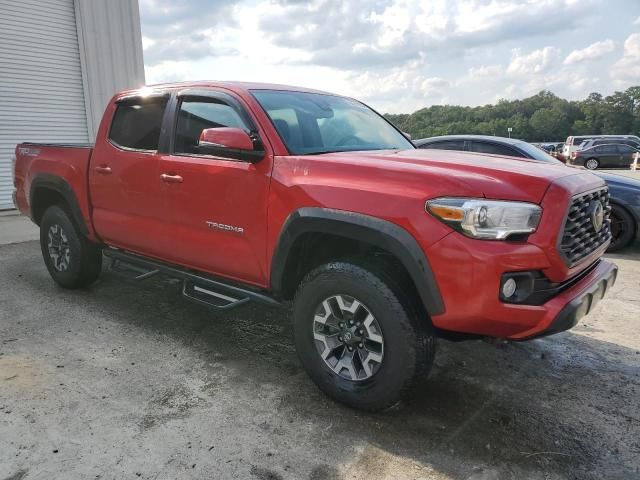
x=469, y=275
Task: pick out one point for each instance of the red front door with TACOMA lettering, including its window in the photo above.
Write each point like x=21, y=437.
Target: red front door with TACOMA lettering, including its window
x=215, y=207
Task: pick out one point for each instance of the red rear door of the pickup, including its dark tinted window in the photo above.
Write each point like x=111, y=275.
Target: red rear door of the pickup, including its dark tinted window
x=125, y=194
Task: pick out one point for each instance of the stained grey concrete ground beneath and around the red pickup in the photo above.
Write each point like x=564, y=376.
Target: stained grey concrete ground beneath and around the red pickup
x=132, y=381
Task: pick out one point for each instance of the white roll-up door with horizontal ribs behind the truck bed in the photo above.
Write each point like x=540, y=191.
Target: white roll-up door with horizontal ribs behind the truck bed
x=41, y=89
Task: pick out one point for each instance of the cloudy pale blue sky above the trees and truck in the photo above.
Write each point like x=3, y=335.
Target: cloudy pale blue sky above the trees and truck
x=399, y=55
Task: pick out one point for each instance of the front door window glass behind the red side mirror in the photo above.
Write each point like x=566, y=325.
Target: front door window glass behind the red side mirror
x=197, y=115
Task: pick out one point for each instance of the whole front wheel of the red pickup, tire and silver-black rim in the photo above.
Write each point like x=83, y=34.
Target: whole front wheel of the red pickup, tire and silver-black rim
x=359, y=341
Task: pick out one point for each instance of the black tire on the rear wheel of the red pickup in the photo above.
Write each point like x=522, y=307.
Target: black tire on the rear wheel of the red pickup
x=82, y=264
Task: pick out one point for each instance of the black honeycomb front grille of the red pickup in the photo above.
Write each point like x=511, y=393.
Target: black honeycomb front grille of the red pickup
x=579, y=237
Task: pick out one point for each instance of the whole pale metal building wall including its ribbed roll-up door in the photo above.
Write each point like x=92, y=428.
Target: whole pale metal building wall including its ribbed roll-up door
x=60, y=62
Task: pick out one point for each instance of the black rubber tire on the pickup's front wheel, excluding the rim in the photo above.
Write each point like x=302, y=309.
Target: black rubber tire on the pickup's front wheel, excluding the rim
x=409, y=343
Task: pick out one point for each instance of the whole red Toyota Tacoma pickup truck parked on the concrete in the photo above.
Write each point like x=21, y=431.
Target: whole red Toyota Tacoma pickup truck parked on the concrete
x=265, y=193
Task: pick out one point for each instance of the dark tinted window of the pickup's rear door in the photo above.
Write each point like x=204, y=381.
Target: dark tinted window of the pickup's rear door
x=136, y=123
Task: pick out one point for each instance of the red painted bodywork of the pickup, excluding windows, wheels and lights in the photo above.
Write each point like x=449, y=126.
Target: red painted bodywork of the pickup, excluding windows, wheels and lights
x=193, y=220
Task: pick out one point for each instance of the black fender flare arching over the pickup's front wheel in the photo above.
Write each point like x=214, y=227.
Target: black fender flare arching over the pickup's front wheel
x=375, y=231
